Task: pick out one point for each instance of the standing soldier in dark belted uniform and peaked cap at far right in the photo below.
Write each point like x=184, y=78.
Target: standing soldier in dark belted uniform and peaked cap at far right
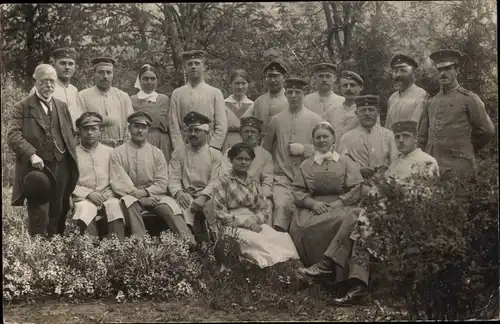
x=454, y=124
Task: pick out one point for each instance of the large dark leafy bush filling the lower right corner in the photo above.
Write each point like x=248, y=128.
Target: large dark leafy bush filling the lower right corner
x=438, y=242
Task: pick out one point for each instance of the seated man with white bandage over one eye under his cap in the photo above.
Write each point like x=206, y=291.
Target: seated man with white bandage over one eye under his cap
x=194, y=168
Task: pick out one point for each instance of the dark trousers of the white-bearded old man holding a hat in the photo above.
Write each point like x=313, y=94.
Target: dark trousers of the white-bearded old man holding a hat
x=50, y=218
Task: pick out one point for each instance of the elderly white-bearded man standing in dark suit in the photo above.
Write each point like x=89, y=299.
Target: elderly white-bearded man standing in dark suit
x=41, y=135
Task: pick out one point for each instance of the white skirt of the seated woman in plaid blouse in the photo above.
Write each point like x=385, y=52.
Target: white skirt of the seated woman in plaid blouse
x=267, y=247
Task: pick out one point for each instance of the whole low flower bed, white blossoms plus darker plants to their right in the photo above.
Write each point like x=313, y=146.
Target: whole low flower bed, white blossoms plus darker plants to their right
x=78, y=267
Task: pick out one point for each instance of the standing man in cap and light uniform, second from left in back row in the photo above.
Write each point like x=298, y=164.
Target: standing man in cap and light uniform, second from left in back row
x=111, y=103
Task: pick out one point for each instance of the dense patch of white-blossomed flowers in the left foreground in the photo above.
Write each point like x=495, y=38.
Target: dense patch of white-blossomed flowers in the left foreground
x=79, y=267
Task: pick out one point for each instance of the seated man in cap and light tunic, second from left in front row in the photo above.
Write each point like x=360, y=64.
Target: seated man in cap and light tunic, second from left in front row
x=139, y=175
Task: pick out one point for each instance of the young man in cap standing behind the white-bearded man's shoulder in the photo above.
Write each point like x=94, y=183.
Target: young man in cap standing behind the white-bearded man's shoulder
x=64, y=61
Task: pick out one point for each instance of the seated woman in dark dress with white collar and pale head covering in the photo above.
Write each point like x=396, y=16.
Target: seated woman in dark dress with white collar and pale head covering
x=326, y=191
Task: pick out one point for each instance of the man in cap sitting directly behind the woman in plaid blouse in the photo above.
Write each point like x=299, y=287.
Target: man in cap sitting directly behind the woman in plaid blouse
x=262, y=168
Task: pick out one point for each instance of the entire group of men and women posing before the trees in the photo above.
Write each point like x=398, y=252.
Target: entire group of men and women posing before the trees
x=286, y=173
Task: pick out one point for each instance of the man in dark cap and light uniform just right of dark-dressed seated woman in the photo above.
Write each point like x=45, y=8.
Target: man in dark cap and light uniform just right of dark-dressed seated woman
x=369, y=144
